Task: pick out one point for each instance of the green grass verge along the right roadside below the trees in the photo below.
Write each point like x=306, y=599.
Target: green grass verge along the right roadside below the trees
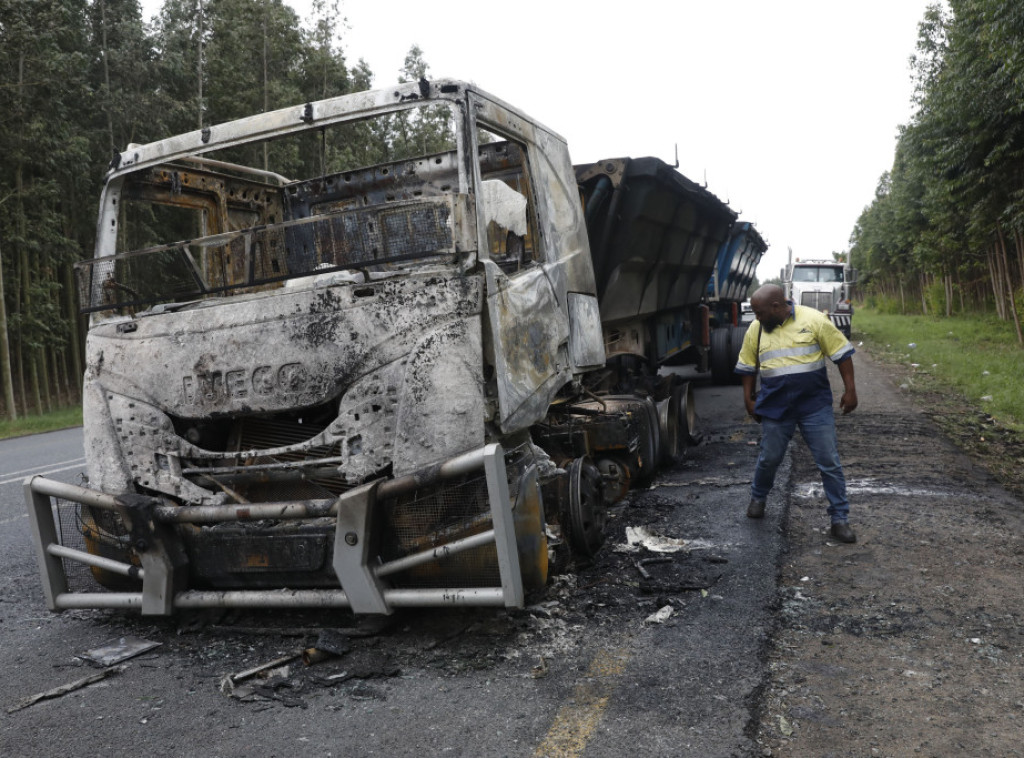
x=977, y=357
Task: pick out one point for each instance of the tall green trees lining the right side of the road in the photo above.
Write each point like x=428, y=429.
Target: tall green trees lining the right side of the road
x=946, y=231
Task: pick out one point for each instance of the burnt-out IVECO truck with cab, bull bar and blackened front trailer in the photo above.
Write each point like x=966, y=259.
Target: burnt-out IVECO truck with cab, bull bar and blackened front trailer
x=337, y=359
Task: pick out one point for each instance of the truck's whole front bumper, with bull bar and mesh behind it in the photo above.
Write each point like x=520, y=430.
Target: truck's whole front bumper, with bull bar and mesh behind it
x=381, y=554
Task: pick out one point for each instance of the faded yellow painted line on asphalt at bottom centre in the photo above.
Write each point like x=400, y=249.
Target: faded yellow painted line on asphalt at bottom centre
x=576, y=722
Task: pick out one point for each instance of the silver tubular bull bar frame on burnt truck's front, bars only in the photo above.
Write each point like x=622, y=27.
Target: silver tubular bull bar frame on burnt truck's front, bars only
x=164, y=569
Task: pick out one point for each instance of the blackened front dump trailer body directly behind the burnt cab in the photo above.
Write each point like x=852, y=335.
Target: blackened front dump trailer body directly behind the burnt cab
x=655, y=239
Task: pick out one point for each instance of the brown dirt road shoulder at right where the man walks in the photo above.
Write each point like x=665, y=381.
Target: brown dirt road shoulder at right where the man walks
x=909, y=643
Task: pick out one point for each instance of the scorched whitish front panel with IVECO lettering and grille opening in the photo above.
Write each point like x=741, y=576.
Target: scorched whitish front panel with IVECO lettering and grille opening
x=400, y=362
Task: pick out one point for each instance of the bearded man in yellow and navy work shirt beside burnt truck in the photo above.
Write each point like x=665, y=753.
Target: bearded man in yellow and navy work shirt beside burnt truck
x=788, y=346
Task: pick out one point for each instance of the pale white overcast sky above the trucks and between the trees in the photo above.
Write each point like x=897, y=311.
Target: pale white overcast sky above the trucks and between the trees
x=788, y=110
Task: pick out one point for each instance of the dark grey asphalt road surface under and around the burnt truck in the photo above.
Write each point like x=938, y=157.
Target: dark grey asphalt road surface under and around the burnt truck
x=585, y=671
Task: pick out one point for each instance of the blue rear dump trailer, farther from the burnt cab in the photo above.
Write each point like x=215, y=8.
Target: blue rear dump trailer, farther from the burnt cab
x=728, y=290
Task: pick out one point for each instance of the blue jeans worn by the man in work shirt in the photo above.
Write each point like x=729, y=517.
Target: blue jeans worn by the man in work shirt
x=819, y=431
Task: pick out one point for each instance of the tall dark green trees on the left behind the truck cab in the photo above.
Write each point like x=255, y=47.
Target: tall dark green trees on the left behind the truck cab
x=81, y=80
